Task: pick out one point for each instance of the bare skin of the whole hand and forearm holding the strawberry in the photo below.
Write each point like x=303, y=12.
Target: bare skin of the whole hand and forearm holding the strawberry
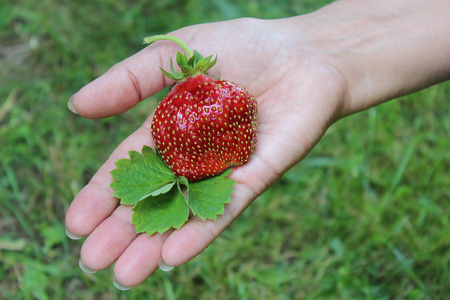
x=307, y=72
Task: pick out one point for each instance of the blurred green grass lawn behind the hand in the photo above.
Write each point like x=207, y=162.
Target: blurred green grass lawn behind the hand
x=364, y=216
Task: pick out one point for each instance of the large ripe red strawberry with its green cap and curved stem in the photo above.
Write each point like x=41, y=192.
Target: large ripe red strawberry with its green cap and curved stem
x=204, y=125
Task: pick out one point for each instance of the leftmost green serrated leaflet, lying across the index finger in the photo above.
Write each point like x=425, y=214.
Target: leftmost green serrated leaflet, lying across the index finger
x=140, y=176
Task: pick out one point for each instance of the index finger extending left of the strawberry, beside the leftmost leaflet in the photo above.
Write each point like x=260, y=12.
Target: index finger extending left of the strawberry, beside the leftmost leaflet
x=95, y=202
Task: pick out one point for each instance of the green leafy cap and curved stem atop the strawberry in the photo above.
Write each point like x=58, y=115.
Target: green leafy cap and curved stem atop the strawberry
x=191, y=64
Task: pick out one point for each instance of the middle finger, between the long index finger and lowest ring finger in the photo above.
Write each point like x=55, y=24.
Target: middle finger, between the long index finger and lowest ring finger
x=109, y=239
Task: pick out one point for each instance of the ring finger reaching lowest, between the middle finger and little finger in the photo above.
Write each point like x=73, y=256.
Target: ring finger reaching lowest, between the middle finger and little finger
x=140, y=259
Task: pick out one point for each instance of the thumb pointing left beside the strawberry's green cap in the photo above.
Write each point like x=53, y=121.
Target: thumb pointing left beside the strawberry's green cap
x=125, y=84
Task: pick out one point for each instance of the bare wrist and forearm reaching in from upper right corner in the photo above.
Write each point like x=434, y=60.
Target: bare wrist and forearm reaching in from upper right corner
x=379, y=50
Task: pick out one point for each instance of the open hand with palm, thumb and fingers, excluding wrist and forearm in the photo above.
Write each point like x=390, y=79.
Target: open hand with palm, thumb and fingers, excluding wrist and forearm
x=298, y=99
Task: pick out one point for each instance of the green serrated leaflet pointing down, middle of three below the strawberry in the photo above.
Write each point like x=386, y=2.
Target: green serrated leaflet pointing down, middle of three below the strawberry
x=160, y=213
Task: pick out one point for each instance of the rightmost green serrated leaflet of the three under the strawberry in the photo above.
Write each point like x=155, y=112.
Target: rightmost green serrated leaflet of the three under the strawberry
x=208, y=196
